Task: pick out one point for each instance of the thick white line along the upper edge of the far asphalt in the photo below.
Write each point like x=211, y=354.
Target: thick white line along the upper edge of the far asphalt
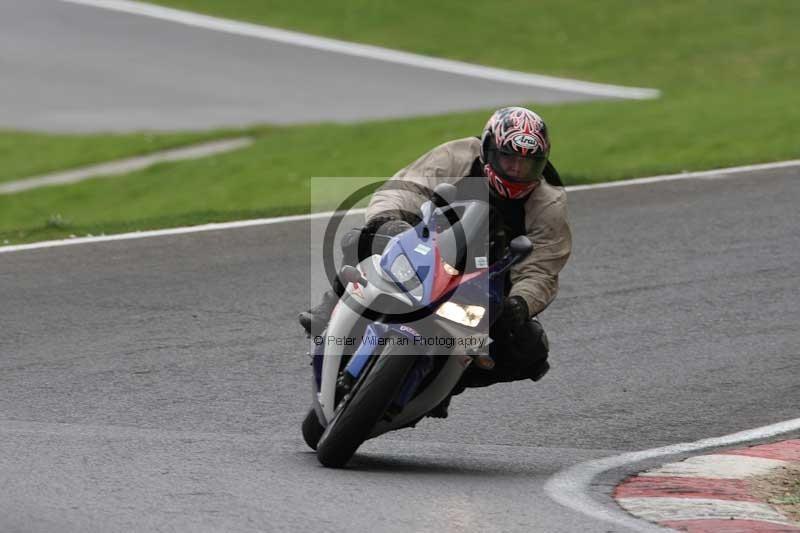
x=368, y=51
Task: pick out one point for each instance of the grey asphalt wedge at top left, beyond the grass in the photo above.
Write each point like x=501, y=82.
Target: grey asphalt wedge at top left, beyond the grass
x=66, y=67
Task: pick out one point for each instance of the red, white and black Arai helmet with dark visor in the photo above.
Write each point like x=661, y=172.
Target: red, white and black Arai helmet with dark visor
x=514, y=150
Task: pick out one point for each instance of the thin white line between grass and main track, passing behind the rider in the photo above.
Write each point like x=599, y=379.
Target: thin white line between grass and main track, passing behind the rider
x=706, y=174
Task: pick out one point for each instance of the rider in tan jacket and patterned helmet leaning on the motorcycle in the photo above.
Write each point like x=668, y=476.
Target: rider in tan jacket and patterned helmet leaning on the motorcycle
x=512, y=155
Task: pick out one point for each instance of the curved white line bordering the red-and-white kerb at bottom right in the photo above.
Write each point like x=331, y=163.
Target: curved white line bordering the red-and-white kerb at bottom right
x=570, y=486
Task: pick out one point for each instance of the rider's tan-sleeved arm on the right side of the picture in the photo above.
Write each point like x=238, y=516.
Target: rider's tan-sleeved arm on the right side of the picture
x=536, y=277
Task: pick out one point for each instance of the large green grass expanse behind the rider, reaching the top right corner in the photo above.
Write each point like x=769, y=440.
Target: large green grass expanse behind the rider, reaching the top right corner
x=729, y=71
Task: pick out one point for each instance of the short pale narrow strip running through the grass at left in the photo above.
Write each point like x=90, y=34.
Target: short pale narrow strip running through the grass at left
x=126, y=166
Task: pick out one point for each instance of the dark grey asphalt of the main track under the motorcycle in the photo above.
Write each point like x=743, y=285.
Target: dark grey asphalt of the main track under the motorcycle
x=159, y=384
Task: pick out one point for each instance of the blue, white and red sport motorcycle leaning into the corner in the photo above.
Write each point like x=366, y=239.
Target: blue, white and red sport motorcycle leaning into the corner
x=411, y=321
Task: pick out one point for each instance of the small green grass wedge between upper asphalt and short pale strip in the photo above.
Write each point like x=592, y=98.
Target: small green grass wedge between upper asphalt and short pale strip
x=24, y=154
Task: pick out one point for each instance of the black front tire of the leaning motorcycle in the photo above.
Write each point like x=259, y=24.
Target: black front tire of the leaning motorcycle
x=364, y=407
